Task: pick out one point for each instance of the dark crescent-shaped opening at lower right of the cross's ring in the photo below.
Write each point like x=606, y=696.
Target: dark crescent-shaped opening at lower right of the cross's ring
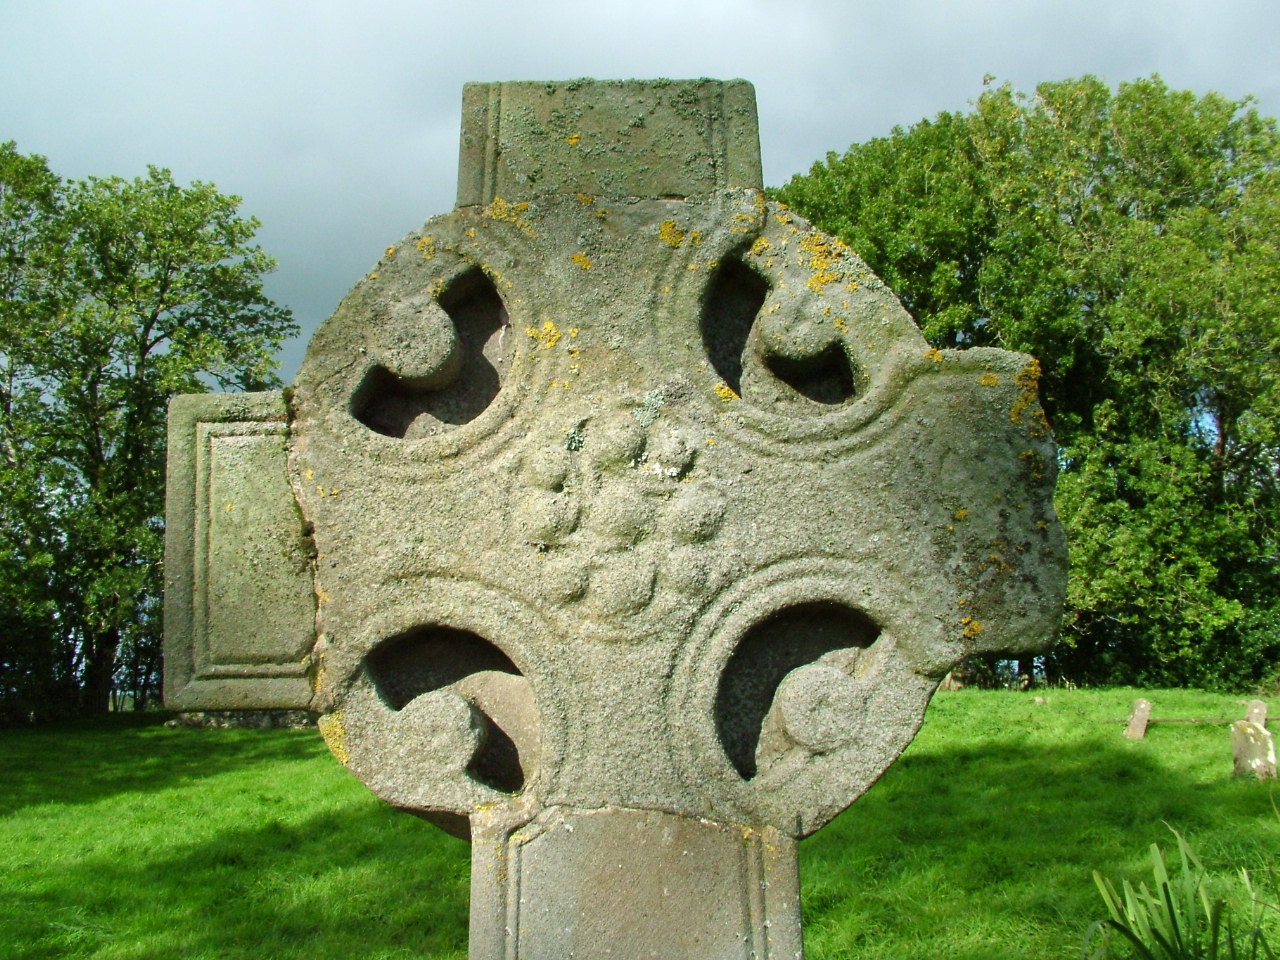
x=772, y=648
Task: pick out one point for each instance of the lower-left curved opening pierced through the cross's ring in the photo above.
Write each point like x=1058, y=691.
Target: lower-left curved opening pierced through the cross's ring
x=435, y=659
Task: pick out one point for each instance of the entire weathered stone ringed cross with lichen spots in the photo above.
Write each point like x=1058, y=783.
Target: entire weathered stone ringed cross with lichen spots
x=619, y=520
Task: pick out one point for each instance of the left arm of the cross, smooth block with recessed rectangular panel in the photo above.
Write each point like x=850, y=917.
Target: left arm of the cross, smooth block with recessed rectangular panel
x=240, y=607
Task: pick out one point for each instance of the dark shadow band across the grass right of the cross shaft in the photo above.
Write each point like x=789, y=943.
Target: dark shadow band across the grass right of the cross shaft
x=1017, y=807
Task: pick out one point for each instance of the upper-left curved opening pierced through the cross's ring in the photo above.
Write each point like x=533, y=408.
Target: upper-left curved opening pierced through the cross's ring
x=406, y=404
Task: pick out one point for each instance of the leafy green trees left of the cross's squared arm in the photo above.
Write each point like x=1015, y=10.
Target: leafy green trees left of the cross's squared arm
x=117, y=296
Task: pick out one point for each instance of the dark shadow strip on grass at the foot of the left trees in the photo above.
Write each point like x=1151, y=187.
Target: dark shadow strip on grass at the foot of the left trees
x=81, y=762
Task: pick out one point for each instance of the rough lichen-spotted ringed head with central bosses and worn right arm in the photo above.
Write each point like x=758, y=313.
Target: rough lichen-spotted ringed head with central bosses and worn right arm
x=656, y=527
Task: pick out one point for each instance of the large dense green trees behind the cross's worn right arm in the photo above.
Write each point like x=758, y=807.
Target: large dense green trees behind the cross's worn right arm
x=1130, y=241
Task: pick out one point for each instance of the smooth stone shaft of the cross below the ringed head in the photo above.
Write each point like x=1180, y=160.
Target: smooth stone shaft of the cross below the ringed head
x=632, y=885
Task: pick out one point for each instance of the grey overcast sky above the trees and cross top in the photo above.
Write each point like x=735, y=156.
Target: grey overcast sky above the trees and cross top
x=339, y=122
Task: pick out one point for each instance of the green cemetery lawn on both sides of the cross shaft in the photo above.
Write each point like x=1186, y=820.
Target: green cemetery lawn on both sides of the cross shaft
x=127, y=840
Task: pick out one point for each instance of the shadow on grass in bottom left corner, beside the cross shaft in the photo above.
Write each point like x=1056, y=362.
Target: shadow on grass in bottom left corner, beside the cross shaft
x=363, y=883
